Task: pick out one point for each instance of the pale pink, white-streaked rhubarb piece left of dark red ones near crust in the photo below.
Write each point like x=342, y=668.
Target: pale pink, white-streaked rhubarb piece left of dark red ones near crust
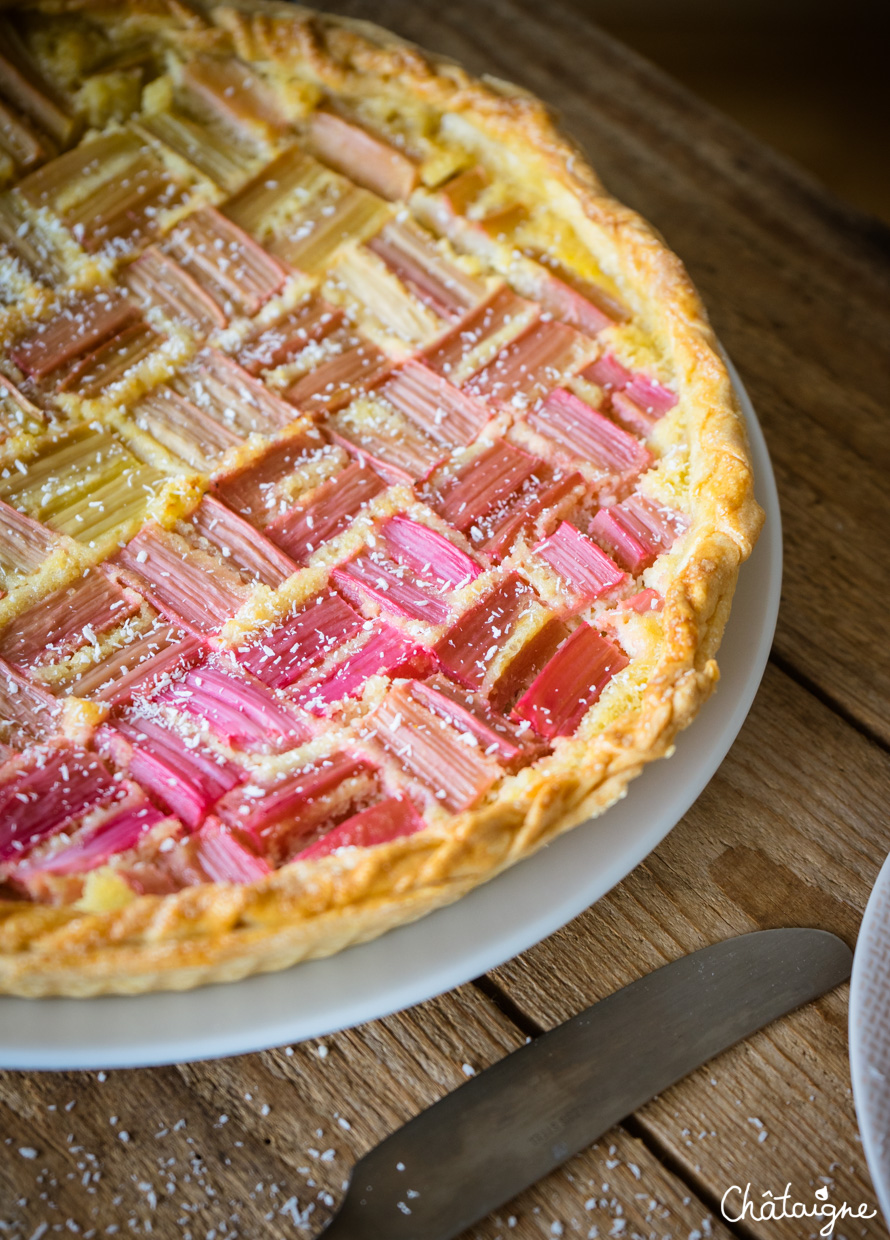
x=448, y=762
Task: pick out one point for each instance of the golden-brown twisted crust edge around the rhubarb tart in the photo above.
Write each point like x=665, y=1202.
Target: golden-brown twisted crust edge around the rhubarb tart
x=308, y=910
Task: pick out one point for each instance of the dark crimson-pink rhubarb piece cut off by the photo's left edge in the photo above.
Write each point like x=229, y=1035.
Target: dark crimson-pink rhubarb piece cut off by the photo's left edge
x=45, y=790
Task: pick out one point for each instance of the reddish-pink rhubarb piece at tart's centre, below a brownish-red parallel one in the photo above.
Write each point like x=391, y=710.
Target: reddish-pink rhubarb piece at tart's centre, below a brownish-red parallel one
x=327, y=511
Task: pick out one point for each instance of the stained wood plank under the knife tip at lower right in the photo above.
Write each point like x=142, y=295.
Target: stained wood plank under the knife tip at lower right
x=779, y=838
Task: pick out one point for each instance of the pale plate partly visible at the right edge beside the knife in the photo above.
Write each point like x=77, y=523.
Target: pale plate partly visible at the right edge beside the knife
x=871, y=1035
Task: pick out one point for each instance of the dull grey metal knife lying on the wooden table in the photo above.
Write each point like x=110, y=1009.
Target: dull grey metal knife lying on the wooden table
x=504, y=1130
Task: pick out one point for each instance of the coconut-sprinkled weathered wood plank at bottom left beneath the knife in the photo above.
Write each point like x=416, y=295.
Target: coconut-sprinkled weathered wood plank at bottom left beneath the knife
x=262, y=1145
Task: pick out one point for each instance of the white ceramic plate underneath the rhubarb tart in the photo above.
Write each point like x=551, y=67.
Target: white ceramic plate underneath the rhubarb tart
x=456, y=944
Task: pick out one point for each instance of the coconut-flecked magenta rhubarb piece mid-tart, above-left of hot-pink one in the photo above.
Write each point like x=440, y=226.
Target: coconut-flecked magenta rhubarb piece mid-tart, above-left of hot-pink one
x=318, y=628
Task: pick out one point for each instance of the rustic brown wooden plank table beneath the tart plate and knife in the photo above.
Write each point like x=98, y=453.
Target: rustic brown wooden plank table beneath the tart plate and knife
x=791, y=831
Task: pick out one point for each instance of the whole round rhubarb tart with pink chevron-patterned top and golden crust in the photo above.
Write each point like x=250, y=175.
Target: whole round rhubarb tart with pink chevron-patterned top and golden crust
x=372, y=493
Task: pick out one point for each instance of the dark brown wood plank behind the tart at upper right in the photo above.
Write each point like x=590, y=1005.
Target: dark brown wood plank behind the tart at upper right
x=798, y=286
